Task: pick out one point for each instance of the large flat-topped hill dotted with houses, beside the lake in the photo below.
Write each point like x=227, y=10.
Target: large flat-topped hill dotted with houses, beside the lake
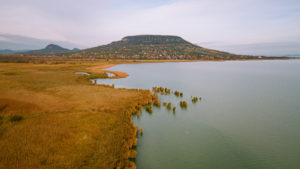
x=155, y=47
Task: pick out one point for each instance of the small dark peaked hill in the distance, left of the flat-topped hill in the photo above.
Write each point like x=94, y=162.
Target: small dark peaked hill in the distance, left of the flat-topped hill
x=51, y=49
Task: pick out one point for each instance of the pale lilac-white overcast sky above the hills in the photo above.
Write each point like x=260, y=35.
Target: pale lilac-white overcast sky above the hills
x=91, y=23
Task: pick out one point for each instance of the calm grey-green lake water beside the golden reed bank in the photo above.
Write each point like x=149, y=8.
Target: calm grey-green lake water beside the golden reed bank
x=249, y=117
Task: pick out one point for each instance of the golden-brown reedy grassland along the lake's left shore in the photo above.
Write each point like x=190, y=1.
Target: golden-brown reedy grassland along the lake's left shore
x=51, y=117
